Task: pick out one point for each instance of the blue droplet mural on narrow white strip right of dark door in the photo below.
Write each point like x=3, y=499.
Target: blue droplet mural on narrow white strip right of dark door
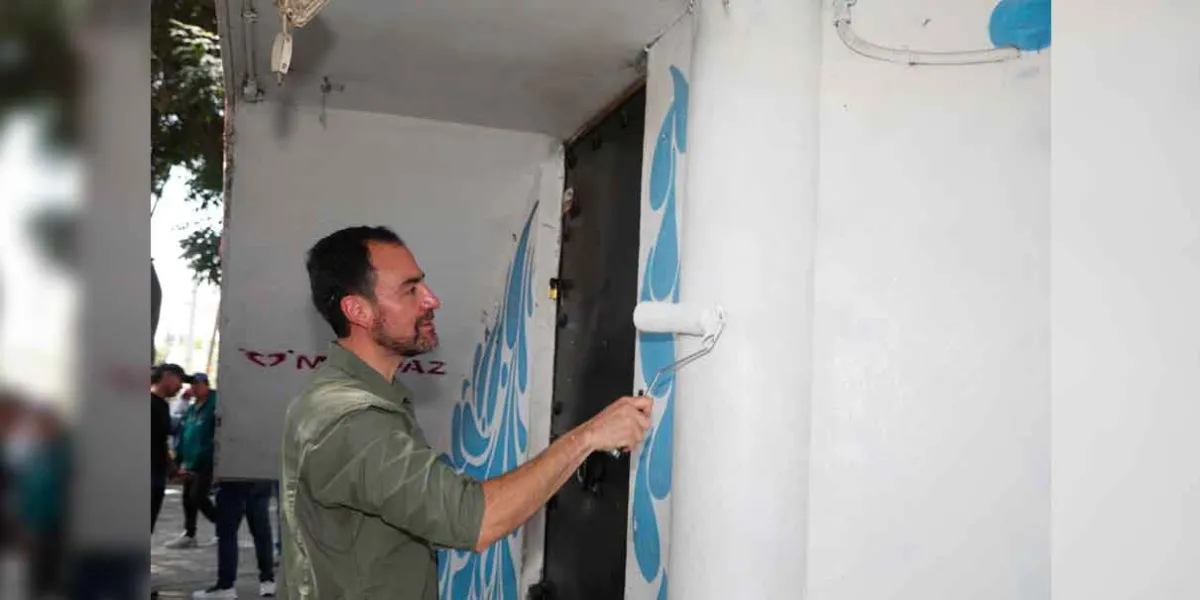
x=661, y=283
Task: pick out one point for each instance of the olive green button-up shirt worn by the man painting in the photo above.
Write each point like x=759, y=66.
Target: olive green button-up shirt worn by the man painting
x=365, y=500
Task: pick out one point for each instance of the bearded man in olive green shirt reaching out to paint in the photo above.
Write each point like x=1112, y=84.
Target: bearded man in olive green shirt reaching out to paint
x=365, y=497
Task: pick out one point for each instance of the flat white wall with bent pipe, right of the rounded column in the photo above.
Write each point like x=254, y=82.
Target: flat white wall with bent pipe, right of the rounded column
x=931, y=473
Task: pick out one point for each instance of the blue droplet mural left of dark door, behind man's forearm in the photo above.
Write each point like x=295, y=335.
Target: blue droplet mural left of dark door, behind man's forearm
x=489, y=436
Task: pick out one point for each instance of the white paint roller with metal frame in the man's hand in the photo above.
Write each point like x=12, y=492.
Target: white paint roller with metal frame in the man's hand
x=706, y=323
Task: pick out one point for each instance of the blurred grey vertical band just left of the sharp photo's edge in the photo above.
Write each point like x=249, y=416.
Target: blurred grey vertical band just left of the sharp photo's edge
x=111, y=508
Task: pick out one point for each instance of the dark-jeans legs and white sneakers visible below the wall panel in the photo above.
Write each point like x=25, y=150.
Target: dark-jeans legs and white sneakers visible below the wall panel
x=236, y=500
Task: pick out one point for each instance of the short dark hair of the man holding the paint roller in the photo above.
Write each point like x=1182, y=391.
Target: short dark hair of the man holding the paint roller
x=340, y=266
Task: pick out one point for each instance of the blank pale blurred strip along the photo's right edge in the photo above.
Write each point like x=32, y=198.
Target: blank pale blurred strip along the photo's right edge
x=1126, y=305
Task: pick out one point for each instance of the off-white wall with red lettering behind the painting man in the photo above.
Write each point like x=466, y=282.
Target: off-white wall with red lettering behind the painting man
x=460, y=196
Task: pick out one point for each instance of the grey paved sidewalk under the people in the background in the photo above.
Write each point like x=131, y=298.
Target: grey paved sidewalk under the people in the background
x=178, y=573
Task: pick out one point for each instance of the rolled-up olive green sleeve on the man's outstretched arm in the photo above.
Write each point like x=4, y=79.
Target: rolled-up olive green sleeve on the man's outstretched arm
x=370, y=463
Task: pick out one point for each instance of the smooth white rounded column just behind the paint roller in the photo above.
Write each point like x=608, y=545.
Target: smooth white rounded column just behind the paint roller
x=739, y=512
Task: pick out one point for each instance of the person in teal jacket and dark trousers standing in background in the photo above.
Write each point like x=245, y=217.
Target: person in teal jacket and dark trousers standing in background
x=194, y=455
